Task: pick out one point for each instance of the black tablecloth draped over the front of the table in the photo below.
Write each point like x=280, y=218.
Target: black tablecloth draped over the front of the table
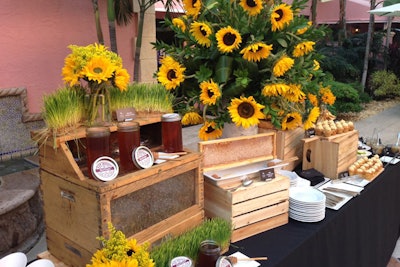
x=362, y=233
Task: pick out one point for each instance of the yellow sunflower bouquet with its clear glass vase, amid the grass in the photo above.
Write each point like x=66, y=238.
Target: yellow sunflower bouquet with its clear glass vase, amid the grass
x=95, y=69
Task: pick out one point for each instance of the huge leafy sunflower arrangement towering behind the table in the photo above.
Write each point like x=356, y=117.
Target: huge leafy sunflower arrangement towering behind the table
x=240, y=61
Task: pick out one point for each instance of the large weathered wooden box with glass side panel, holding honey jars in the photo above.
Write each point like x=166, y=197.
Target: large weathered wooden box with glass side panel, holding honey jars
x=148, y=205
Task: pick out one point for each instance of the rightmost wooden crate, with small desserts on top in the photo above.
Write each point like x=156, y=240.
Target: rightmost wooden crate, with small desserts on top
x=330, y=155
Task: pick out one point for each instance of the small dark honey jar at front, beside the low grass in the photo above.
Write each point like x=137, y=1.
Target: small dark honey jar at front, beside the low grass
x=209, y=252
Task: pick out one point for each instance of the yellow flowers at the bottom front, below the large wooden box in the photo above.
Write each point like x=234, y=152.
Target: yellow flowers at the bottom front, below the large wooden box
x=117, y=251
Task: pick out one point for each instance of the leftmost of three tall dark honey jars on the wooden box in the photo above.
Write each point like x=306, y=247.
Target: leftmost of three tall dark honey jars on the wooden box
x=97, y=145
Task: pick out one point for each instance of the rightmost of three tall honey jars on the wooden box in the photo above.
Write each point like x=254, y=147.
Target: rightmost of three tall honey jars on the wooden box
x=171, y=132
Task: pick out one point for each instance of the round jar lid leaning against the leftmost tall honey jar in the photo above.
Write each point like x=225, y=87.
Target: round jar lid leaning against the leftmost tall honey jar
x=105, y=169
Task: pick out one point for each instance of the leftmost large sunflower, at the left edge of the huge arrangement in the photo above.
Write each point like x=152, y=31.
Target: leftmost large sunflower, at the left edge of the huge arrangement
x=170, y=73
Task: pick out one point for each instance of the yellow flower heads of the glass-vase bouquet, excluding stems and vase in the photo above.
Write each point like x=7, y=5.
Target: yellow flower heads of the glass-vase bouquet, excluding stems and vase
x=94, y=64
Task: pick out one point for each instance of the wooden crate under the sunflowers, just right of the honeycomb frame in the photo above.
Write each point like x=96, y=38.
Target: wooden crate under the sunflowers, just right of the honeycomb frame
x=289, y=145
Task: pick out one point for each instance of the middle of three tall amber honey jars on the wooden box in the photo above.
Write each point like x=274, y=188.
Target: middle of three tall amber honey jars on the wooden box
x=128, y=140
